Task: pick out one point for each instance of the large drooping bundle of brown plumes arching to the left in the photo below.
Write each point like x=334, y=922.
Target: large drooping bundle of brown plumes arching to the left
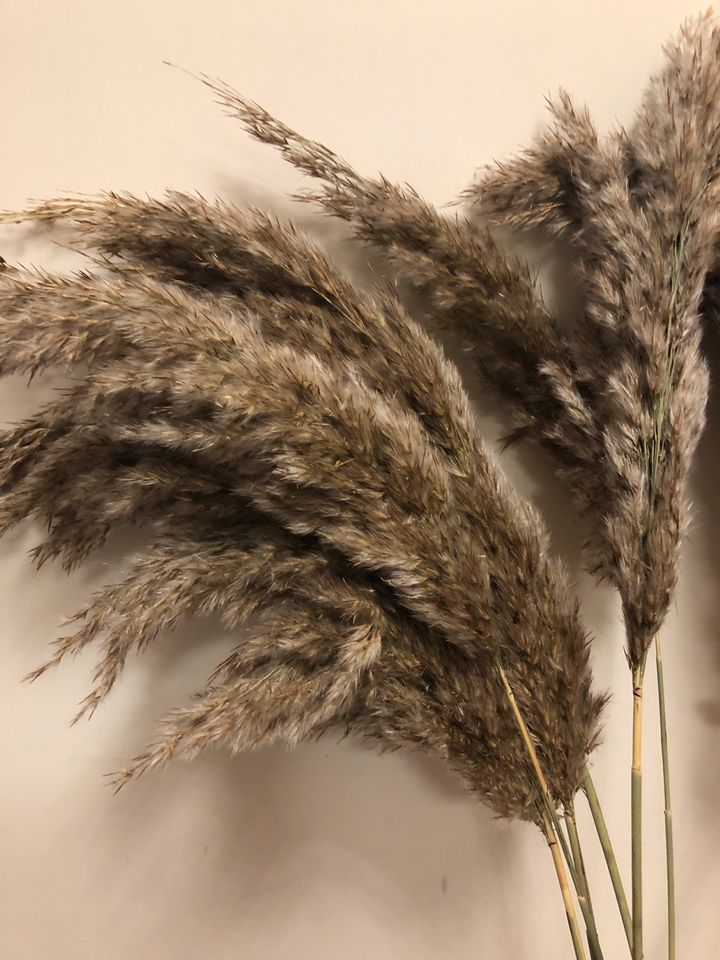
x=308, y=462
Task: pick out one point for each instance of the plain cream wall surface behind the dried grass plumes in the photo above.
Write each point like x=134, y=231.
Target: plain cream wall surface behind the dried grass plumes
x=328, y=851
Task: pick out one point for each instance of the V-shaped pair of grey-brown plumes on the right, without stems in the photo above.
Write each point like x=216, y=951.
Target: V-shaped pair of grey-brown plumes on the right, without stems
x=619, y=401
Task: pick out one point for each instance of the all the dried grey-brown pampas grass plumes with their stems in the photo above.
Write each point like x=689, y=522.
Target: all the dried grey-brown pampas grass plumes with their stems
x=304, y=459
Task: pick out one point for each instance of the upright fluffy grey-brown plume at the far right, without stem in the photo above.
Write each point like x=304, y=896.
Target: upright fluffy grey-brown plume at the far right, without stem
x=640, y=210
